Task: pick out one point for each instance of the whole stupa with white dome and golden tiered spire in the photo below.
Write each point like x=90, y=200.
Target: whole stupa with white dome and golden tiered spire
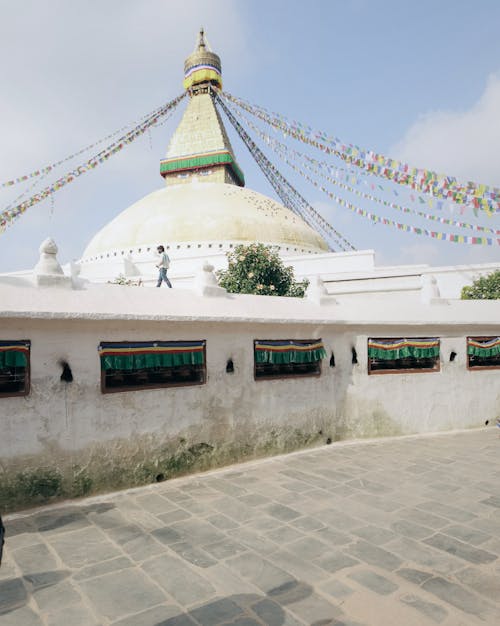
x=204, y=209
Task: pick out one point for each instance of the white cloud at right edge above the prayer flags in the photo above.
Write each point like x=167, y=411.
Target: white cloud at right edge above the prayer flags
x=463, y=144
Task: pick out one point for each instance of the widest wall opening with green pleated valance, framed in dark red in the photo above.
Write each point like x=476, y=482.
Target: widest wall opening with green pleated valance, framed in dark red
x=133, y=366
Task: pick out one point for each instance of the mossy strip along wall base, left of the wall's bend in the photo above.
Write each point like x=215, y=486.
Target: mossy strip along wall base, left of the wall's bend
x=124, y=464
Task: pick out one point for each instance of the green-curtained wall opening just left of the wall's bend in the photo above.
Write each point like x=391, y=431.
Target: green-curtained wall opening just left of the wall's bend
x=287, y=358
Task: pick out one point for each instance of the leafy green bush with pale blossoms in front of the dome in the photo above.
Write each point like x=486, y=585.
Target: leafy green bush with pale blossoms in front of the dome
x=258, y=269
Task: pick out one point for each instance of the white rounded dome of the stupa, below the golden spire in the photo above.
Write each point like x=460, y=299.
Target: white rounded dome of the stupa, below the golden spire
x=198, y=213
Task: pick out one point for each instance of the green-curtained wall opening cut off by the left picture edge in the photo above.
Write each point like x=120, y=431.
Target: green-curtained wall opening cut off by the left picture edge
x=14, y=368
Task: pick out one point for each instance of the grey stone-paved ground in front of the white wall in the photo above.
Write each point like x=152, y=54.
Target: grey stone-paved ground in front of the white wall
x=395, y=532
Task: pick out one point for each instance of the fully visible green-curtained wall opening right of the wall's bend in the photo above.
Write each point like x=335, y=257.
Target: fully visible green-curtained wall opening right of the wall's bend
x=390, y=355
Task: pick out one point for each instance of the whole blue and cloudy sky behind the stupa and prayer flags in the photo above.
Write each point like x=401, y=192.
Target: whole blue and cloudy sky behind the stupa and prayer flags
x=419, y=82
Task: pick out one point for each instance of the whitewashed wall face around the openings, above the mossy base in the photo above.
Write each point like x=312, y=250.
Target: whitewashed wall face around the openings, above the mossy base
x=343, y=402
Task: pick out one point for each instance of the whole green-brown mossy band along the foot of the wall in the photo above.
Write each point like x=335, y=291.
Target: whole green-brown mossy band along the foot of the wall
x=123, y=463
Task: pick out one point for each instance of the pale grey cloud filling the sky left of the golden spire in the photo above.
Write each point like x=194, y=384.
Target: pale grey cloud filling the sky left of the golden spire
x=73, y=73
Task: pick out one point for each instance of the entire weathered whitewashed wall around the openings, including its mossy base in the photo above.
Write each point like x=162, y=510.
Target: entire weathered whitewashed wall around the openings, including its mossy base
x=69, y=439
